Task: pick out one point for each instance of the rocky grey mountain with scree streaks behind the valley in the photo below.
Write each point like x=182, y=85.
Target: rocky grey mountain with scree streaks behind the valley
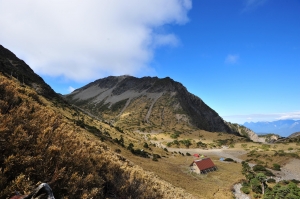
x=150, y=104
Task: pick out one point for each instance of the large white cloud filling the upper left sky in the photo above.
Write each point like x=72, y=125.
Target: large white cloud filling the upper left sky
x=84, y=40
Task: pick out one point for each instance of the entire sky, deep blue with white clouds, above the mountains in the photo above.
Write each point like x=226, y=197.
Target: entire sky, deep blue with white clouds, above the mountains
x=241, y=57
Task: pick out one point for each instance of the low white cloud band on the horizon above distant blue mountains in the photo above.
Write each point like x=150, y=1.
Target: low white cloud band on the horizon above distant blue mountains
x=262, y=117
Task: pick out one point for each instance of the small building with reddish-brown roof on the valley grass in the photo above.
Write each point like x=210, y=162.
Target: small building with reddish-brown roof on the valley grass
x=203, y=166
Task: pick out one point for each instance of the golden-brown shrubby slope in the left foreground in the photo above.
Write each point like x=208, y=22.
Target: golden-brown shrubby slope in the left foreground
x=39, y=144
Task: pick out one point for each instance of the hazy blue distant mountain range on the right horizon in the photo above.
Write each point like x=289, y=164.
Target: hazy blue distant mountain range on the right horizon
x=283, y=128
